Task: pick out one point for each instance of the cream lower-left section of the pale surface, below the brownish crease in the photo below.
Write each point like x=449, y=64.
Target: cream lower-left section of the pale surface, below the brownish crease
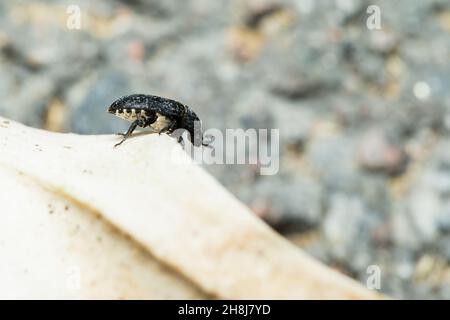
x=50, y=248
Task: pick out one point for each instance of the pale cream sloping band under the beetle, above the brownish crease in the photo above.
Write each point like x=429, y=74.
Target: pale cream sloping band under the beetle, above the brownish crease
x=177, y=212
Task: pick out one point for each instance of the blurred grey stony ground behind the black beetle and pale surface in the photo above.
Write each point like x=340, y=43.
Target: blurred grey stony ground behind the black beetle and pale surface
x=364, y=115
